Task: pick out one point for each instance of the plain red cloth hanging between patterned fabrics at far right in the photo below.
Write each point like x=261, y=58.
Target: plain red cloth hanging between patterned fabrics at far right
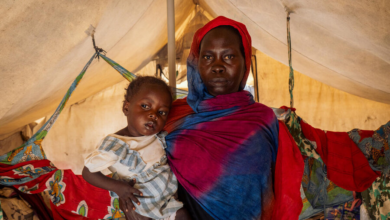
x=346, y=165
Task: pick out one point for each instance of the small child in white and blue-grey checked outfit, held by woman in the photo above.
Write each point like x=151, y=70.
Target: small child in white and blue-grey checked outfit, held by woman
x=136, y=157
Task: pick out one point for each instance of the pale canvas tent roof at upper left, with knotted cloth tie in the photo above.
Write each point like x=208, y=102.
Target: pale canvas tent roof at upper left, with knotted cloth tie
x=45, y=46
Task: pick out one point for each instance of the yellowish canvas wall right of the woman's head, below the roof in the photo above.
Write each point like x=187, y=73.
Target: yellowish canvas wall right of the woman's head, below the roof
x=320, y=105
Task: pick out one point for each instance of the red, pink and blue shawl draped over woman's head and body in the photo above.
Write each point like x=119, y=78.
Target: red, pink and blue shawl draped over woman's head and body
x=223, y=149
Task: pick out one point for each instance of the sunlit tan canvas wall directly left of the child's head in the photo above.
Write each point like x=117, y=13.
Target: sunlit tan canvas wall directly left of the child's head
x=83, y=125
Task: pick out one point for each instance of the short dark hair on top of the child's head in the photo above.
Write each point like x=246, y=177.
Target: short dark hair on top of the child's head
x=140, y=81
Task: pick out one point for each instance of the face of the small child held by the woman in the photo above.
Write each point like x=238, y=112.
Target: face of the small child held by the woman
x=147, y=110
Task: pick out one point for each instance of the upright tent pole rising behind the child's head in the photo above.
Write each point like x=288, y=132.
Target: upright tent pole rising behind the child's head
x=171, y=43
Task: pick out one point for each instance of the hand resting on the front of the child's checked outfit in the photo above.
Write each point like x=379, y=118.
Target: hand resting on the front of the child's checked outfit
x=126, y=192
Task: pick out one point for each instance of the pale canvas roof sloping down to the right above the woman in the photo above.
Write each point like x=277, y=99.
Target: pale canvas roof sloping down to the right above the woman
x=344, y=44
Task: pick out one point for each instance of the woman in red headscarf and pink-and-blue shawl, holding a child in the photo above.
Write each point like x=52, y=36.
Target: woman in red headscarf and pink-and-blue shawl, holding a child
x=222, y=146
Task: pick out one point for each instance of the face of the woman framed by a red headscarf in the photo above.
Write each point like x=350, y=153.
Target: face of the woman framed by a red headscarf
x=221, y=64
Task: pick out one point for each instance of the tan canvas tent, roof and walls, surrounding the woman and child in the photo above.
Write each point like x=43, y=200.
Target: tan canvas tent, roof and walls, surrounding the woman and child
x=340, y=52
